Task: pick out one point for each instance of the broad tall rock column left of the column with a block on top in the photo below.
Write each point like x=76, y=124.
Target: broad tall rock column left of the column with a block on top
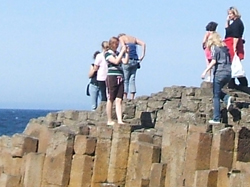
x=57, y=162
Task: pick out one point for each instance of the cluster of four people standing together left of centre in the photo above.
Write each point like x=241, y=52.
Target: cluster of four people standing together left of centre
x=112, y=75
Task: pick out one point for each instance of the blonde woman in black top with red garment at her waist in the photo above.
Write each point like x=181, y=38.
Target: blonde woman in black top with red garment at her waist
x=233, y=39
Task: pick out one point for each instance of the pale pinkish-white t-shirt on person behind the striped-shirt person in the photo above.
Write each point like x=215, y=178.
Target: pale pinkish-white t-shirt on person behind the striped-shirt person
x=103, y=67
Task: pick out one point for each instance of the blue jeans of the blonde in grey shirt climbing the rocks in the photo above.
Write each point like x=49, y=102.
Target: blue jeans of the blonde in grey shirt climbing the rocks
x=218, y=82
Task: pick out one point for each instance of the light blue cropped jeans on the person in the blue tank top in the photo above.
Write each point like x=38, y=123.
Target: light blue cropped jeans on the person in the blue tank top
x=129, y=71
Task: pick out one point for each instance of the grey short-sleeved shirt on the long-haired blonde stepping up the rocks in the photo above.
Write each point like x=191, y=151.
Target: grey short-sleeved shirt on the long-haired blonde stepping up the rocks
x=223, y=63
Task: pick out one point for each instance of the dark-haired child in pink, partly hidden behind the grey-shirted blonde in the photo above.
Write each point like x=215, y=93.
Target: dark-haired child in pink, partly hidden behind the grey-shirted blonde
x=210, y=28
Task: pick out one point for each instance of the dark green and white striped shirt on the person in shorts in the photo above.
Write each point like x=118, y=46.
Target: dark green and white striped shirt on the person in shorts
x=113, y=69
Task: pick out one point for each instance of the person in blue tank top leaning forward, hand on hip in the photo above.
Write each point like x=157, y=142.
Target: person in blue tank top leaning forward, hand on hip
x=134, y=62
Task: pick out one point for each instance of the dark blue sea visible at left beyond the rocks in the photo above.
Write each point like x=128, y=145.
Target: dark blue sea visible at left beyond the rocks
x=15, y=120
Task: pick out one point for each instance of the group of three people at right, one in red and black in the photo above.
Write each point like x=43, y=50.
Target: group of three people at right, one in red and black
x=219, y=55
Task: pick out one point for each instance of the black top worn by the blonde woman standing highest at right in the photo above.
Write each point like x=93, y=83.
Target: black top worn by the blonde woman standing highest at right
x=235, y=29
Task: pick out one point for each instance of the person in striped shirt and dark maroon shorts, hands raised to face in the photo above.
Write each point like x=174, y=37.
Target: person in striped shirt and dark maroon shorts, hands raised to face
x=115, y=78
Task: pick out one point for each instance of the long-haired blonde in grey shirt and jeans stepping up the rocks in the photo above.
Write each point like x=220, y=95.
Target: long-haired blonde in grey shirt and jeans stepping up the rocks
x=222, y=74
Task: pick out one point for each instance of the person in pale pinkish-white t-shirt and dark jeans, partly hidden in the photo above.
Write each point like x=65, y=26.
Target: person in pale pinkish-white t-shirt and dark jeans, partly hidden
x=102, y=68
